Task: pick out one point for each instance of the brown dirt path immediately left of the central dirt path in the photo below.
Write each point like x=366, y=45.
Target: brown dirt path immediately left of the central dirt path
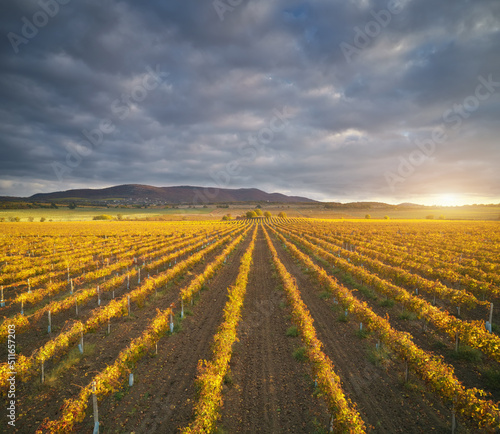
x=161, y=399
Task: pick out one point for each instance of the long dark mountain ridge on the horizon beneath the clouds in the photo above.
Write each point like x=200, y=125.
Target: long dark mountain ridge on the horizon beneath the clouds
x=174, y=195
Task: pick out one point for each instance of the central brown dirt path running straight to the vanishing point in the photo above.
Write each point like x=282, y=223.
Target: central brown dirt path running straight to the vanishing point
x=269, y=391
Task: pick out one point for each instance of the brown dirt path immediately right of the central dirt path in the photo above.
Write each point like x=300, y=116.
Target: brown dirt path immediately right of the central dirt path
x=382, y=400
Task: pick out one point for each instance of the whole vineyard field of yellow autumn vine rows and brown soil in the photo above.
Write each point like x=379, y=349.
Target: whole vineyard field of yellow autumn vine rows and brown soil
x=266, y=325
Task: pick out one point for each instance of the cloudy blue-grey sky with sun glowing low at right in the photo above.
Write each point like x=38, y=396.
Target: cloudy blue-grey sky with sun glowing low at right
x=336, y=100
